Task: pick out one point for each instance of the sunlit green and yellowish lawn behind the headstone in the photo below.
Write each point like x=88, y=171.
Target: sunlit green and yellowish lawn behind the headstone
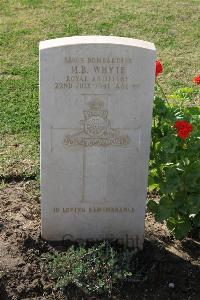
x=174, y=27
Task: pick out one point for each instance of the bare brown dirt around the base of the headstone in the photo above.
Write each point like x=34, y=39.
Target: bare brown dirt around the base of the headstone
x=168, y=269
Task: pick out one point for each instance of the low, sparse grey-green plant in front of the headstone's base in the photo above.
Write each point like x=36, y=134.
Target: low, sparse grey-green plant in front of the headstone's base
x=93, y=270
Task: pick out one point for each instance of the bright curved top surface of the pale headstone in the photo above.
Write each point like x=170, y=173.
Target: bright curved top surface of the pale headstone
x=95, y=39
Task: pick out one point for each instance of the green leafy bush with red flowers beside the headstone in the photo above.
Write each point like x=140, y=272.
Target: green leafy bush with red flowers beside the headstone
x=175, y=161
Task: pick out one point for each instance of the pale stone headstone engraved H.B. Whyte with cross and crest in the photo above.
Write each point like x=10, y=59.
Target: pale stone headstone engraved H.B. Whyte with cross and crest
x=96, y=96
